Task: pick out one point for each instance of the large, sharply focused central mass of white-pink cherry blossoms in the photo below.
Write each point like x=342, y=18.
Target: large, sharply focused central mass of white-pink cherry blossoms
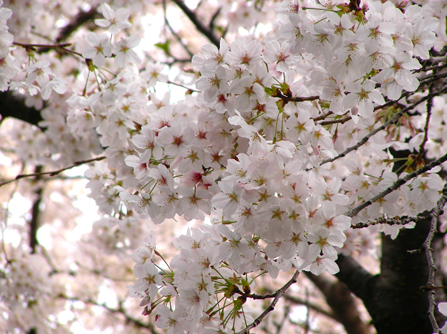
x=251, y=154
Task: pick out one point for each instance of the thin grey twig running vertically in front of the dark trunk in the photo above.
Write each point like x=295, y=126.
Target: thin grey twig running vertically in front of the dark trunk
x=431, y=263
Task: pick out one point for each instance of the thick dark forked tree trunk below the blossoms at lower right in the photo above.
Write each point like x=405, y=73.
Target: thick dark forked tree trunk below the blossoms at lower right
x=394, y=298
